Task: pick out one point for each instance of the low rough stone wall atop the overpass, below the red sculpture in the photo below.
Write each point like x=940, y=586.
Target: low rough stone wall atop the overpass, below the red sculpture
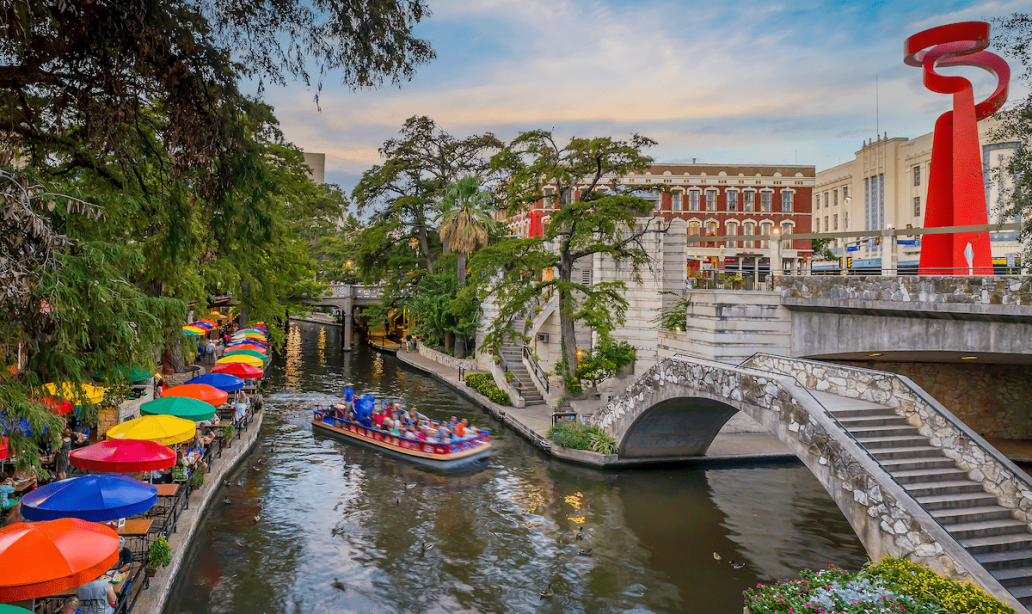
x=960, y=289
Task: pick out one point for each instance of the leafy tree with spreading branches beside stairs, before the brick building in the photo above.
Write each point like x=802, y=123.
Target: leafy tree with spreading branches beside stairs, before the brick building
x=605, y=220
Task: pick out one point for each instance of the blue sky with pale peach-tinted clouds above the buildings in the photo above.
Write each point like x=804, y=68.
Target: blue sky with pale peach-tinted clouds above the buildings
x=745, y=82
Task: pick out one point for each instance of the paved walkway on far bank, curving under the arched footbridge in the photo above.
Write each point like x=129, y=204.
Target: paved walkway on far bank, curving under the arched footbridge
x=533, y=424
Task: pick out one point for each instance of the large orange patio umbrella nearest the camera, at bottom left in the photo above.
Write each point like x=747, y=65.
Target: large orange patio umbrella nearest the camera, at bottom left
x=42, y=559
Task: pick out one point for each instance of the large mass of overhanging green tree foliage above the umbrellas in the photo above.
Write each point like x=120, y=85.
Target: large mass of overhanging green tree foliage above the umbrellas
x=138, y=179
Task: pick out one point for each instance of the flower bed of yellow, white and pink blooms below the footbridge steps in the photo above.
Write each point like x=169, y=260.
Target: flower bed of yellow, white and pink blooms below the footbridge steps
x=894, y=586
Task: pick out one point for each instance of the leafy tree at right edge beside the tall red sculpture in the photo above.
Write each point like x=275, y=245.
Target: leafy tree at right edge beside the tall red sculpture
x=1014, y=37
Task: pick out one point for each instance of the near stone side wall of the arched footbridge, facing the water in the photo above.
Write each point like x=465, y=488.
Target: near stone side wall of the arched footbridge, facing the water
x=886, y=519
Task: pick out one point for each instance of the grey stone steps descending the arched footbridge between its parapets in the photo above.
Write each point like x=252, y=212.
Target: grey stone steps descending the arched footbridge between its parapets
x=973, y=516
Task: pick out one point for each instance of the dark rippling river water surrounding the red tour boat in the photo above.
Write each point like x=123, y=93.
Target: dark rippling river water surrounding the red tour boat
x=500, y=534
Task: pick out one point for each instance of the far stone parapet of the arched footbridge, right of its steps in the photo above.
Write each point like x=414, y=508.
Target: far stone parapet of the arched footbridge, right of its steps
x=997, y=475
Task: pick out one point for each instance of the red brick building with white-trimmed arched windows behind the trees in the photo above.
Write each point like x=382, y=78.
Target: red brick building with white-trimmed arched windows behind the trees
x=715, y=201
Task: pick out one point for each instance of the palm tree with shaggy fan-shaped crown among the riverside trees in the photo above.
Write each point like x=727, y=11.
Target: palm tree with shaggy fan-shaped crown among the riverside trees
x=466, y=220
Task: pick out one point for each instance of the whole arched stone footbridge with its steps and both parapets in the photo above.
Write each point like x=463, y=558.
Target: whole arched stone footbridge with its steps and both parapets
x=910, y=477
